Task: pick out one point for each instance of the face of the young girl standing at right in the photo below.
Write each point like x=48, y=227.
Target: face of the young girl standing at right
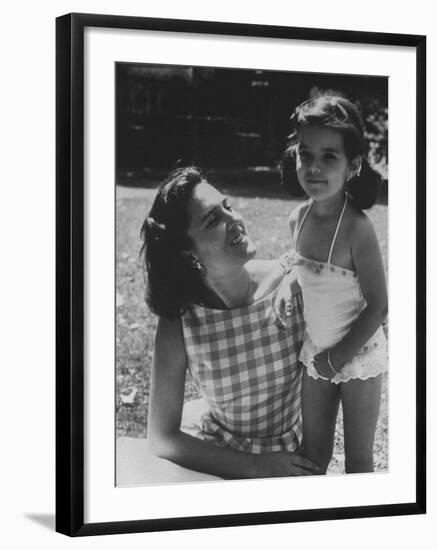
x=321, y=162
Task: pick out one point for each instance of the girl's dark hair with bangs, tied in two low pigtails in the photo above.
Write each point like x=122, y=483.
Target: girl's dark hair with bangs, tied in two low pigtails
x=337, y=112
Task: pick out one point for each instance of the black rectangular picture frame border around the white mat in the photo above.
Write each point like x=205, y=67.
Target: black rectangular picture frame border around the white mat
x=70, y=273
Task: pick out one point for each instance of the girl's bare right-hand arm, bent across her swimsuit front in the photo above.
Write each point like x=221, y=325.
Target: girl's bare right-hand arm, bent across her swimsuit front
x=366, y=256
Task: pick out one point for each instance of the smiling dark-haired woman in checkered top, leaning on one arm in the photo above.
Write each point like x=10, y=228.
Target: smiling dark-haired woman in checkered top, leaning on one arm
x=216, y=320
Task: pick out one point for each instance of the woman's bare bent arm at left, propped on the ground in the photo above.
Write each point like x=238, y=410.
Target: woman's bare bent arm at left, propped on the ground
x=165, y=413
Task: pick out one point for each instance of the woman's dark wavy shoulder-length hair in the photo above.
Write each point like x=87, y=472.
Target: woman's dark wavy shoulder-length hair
x=172, y=283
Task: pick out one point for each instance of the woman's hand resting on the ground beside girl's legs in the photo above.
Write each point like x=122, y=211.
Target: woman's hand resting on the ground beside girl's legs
x=283, y=464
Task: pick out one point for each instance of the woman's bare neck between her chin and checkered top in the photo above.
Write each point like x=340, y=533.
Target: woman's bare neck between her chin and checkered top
x=229, y=290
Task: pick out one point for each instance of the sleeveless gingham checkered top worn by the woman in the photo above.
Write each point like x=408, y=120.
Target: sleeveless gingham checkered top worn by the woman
x=247, y=370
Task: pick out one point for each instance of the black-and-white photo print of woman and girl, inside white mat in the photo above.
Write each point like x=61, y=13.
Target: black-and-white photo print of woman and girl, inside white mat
x=251, y=268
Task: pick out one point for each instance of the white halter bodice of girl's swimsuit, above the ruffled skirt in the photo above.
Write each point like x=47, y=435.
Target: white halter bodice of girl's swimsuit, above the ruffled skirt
x=332, y=295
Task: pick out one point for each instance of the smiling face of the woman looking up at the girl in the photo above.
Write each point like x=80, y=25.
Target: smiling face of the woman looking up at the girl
x=217, y=230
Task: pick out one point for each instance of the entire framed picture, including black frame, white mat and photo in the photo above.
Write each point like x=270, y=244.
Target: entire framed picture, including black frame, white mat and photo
x=239, y=262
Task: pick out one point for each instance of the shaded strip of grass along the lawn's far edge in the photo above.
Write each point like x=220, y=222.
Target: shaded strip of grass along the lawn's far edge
x=243, y=183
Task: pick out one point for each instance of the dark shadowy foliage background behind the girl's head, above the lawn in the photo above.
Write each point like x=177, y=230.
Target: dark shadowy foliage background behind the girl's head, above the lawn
x=226, y=118
